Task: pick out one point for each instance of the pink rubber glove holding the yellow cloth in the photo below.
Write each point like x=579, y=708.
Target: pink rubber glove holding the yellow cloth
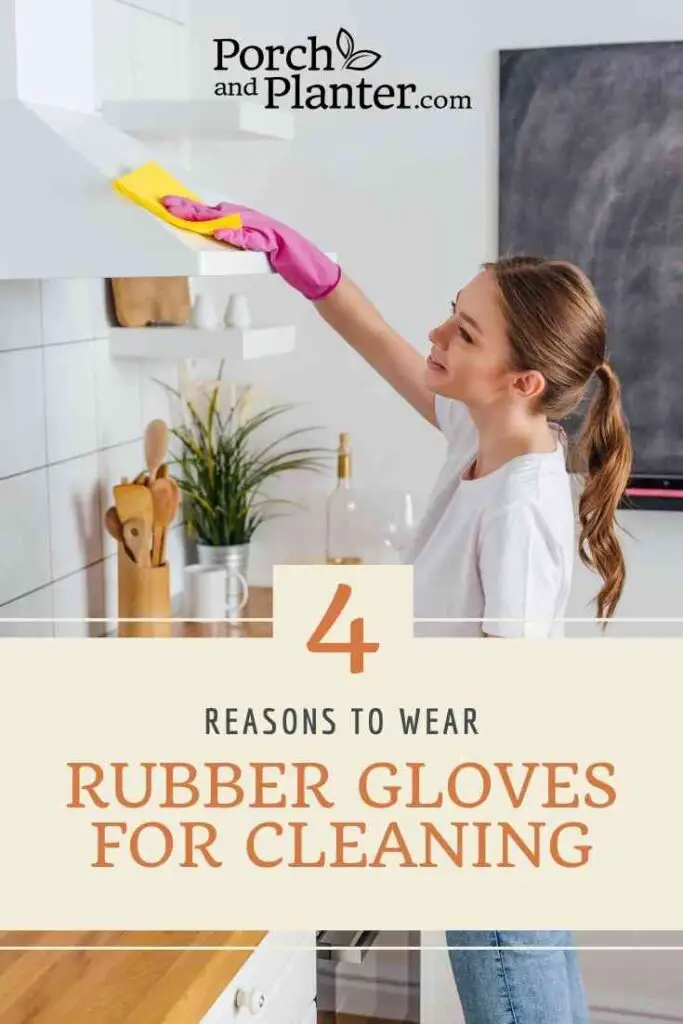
x=298, y=262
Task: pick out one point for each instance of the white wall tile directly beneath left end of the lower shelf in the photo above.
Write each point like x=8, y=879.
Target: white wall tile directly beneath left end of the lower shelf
x=118, y=404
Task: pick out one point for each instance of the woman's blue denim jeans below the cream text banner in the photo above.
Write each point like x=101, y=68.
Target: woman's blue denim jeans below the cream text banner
x=504, y=986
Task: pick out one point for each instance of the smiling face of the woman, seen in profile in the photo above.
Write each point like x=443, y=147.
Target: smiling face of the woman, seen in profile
x=472, y=357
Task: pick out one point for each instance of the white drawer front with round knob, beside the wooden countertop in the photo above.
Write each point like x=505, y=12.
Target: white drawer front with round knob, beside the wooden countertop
x=283, y=969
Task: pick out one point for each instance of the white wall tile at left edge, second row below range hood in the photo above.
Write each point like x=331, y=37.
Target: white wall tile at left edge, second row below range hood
x=22, y=412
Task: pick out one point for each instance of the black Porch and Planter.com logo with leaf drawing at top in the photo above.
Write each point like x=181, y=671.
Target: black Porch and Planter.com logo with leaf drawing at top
x=278, y=78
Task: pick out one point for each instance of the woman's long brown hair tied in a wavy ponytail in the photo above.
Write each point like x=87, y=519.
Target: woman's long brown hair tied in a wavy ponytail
x=558, y=326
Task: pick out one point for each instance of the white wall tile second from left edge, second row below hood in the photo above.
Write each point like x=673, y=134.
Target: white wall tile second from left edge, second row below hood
x=70, y=401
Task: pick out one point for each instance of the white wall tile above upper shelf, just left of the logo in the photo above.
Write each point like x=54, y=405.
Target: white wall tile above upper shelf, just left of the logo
x=160, y=58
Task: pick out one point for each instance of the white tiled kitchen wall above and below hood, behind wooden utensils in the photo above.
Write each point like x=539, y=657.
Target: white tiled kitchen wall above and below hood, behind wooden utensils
x=71, y=419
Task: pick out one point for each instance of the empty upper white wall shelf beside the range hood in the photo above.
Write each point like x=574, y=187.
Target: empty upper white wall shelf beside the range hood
x=196, y=120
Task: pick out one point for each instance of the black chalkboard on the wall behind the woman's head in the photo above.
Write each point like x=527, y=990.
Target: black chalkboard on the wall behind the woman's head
x=591, y=170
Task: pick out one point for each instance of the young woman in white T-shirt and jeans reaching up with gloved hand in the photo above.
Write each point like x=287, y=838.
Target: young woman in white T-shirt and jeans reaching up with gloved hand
x=495, y=551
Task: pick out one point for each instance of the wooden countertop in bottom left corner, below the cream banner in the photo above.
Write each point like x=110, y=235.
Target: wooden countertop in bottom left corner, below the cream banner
x=118, y=987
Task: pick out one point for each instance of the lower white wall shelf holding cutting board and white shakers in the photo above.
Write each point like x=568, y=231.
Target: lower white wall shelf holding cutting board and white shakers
x=199, y=344
